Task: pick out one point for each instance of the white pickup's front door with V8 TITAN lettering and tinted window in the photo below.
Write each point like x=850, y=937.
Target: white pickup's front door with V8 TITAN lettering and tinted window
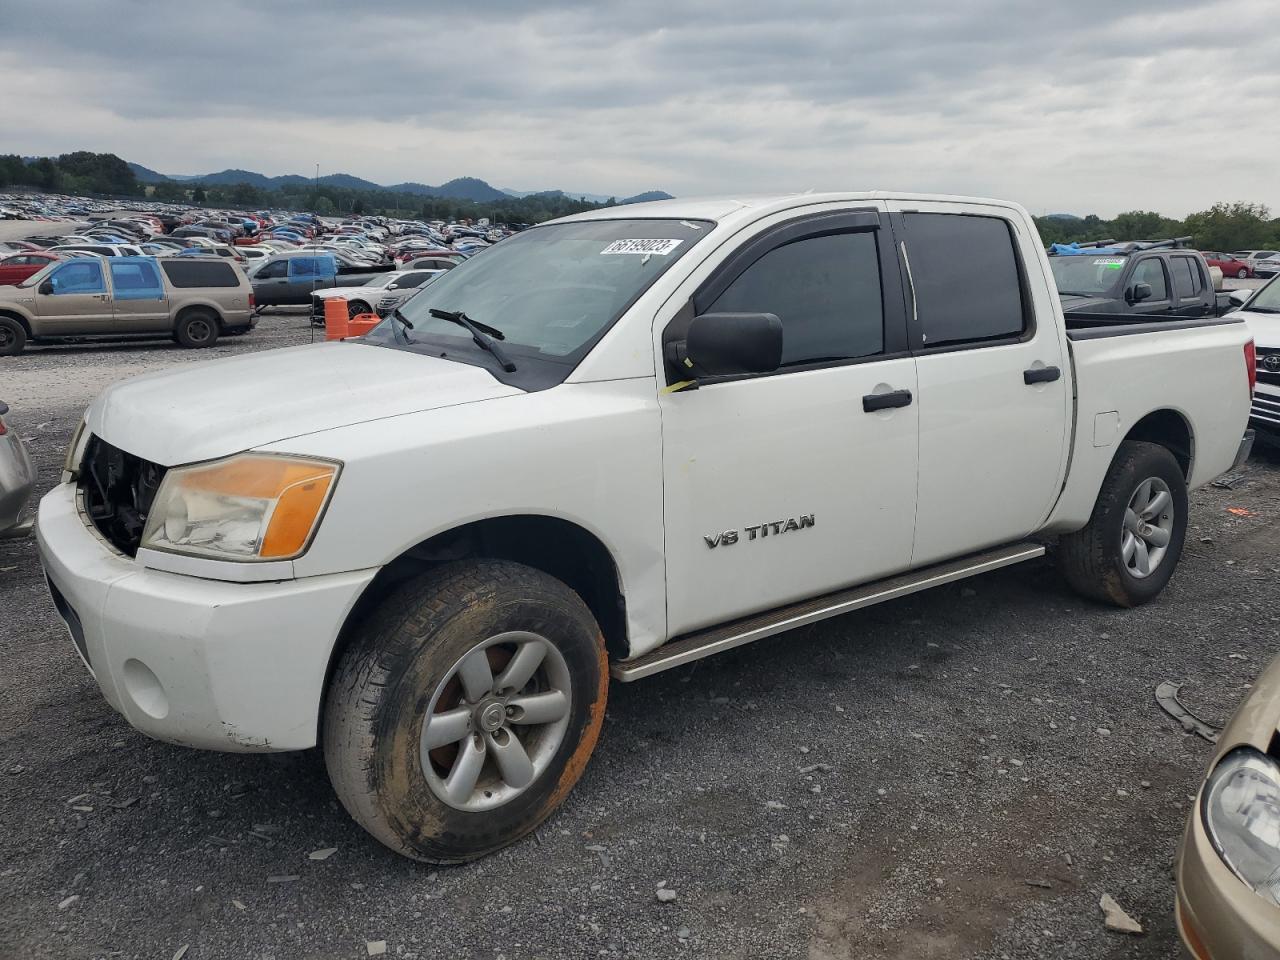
x=797, y=483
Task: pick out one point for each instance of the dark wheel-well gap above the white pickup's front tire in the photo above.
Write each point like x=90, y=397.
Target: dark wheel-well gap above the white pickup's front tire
x=560, y=548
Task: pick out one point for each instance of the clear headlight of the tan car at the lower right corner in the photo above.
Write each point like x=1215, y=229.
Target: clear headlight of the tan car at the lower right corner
x=1241, y=810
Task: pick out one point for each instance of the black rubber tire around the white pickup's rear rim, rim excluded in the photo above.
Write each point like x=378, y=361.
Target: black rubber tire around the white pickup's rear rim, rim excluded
x=1091, y=559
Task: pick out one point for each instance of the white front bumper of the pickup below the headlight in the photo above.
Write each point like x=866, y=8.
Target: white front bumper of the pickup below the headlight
x=196, y=662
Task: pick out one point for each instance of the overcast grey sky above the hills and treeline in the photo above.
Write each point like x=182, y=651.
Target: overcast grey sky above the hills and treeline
x=1066, y=107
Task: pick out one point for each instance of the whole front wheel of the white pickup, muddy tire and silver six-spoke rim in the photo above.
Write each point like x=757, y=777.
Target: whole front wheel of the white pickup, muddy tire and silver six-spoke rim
x=465, y=710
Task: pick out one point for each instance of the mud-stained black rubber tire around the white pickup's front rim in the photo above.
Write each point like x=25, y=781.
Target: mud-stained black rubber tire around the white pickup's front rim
x=382, y=687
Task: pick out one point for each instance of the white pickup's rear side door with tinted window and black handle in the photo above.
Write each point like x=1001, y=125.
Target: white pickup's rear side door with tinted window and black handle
x=993, y=373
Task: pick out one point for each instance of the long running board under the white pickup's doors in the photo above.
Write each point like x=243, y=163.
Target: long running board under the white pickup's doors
x=694, y=647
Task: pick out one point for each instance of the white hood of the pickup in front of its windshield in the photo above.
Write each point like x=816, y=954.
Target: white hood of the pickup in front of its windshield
x=214, y=409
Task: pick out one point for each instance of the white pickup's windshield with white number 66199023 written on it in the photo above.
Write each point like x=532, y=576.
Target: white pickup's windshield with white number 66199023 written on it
x=552, y=291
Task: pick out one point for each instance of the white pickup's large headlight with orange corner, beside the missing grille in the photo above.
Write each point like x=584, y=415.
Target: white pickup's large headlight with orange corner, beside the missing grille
x=249, y=508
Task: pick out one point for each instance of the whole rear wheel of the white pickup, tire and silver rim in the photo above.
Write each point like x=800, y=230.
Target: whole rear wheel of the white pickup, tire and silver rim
x=1130, y=548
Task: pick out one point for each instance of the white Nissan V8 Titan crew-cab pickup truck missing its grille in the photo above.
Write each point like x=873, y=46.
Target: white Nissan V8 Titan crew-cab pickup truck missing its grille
x=614, y=445
